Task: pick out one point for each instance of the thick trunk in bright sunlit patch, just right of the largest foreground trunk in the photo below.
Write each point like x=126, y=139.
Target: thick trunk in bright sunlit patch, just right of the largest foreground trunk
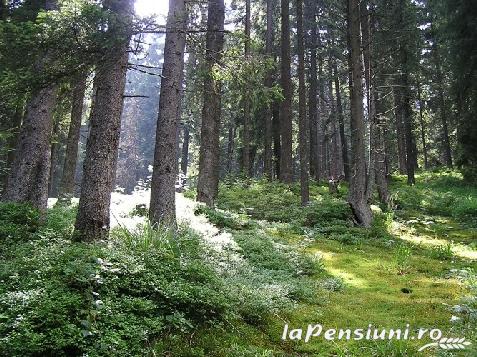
x=163, y=208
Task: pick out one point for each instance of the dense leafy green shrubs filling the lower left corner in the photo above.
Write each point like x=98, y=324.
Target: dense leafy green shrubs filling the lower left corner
x=110, y=298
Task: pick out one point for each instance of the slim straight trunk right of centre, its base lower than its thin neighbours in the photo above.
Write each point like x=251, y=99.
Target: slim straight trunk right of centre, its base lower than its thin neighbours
x=304, y=146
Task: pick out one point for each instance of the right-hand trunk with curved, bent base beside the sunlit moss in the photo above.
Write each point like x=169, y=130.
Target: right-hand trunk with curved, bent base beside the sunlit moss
x=357, y=195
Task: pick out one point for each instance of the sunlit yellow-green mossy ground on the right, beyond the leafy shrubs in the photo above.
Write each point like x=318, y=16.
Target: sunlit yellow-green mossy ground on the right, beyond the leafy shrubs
x=370, y=264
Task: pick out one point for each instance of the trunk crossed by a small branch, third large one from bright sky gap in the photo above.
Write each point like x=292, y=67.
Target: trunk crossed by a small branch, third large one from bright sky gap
x=208, y=182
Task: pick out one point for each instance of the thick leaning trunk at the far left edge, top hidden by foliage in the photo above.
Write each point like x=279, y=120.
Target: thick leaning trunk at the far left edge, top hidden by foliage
x=29, y=176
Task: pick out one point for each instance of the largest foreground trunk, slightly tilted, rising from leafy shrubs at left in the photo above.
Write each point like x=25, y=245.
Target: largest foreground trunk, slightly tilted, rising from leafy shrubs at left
x=99, y=170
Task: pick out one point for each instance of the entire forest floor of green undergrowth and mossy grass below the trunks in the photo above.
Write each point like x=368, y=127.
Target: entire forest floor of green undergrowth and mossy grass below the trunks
x=232, y=279
